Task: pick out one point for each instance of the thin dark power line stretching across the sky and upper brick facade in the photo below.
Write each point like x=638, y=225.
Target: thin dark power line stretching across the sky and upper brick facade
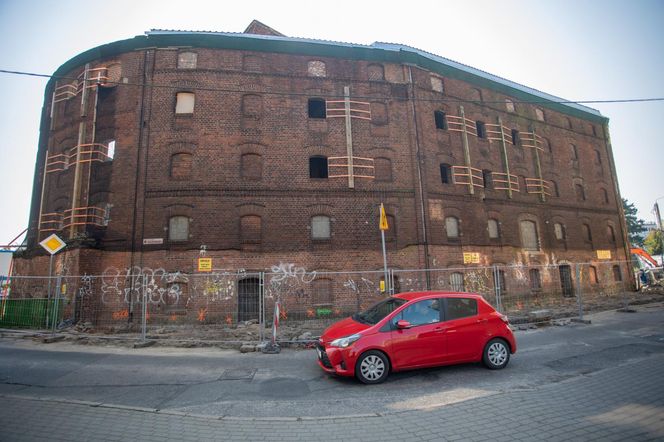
x=447, y=99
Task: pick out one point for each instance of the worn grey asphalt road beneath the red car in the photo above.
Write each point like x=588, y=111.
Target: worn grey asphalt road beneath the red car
x=213, y=382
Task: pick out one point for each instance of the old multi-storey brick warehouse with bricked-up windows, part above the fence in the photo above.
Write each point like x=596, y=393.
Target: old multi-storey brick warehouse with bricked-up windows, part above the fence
x=264, y=149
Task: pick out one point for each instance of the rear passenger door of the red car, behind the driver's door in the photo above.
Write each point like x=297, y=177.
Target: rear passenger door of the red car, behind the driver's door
x=465, y=330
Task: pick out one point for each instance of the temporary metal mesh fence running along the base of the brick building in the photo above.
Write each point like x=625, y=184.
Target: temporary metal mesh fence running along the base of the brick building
x=238, y=307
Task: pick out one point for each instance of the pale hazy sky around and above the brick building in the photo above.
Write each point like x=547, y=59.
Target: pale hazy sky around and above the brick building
x=575, y=49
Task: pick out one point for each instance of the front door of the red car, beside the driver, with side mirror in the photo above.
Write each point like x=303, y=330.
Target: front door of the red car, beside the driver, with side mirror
x=423, y=344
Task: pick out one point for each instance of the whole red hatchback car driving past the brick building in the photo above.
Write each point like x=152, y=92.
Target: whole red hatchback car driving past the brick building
x=416, y=330
